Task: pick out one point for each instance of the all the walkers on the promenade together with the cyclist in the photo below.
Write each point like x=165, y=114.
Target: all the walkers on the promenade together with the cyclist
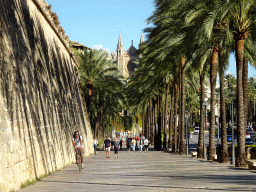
x=116, y=144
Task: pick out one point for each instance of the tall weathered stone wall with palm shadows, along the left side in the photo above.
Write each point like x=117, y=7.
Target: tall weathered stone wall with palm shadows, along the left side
x=40, y=103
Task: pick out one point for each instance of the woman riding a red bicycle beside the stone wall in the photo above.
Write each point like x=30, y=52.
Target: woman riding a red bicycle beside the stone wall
x=78, y=145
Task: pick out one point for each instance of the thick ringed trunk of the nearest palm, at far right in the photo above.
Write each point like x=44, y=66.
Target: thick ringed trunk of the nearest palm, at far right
x=241, y=156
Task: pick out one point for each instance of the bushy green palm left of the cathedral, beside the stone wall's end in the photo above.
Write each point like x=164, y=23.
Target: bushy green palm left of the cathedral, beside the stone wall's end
x=99, y=77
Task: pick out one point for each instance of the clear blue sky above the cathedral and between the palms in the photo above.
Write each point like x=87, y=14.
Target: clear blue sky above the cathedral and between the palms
x=98, y=23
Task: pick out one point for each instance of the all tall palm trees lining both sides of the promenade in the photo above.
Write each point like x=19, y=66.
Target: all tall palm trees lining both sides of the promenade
x=190, y=41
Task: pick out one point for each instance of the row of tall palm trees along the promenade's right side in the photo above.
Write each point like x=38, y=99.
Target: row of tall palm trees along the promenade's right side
x=190, y=40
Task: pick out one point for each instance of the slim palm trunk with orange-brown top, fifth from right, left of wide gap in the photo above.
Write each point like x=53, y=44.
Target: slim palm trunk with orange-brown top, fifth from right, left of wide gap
x=182, y=106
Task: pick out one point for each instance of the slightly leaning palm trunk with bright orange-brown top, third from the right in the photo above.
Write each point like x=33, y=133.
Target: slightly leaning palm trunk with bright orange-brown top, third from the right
x=213, y=76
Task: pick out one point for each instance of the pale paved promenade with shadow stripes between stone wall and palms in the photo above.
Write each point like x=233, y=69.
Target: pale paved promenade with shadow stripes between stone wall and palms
x=152, y=171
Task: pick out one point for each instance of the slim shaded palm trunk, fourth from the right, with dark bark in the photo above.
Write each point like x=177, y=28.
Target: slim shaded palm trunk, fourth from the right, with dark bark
x=200, y=148
